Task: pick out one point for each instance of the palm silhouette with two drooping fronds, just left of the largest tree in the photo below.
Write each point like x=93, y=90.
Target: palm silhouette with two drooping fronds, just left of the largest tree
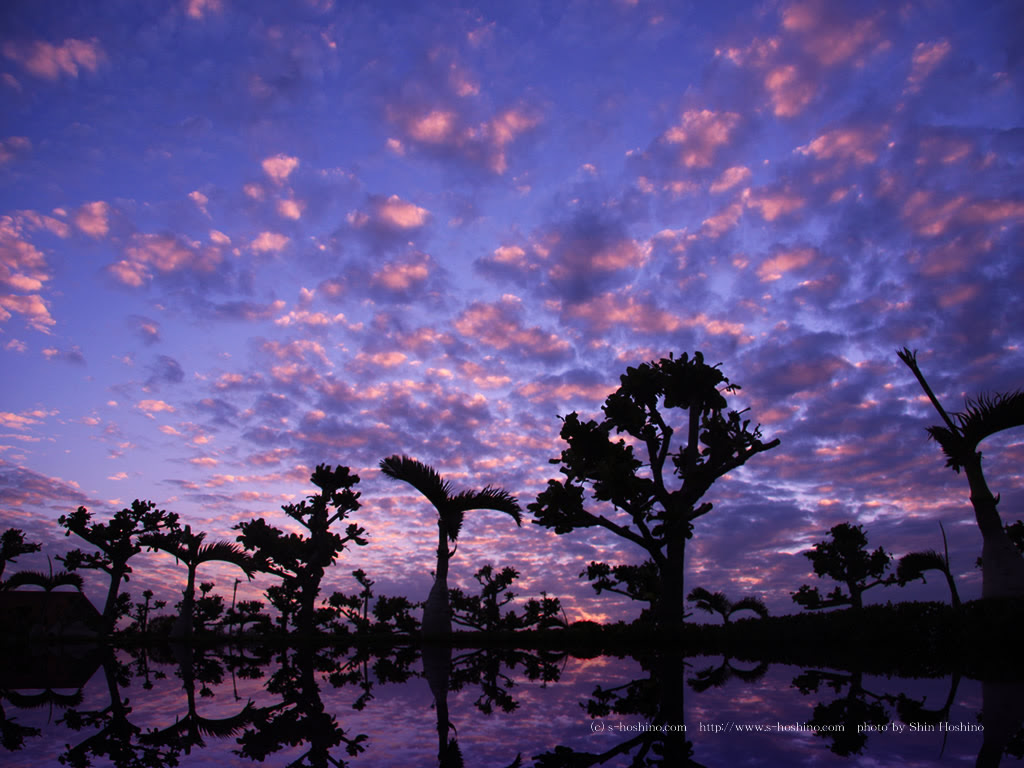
x=451, y=511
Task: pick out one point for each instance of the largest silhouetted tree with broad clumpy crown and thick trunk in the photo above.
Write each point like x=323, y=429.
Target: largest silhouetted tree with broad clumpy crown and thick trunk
x=657, y=498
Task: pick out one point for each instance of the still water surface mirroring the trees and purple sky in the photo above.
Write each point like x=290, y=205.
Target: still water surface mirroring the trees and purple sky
x=495, y=707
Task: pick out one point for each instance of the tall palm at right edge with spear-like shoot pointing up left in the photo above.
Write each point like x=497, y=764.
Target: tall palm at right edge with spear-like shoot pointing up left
x=1003, y=566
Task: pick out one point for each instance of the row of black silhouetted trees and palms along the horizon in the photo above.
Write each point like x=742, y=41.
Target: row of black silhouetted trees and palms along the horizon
x=666, y=437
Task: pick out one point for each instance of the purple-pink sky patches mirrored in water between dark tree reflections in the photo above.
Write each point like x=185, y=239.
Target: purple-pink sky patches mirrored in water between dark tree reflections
x=400, y=719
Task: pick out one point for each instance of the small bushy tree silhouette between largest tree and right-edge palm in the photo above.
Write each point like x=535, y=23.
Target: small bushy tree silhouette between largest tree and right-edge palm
x=844, y=559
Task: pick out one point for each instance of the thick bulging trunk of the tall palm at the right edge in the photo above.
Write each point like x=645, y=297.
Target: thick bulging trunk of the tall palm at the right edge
x=1002, y=564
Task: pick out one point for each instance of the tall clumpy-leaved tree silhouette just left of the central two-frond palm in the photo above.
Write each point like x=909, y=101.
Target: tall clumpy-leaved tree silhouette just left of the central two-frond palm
x=301, y=562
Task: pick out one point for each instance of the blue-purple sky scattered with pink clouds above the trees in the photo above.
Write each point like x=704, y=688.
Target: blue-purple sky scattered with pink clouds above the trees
x=240, y=240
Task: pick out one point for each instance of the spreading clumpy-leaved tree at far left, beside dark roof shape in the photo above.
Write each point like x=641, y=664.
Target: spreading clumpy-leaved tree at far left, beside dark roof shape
x=118, y=542
